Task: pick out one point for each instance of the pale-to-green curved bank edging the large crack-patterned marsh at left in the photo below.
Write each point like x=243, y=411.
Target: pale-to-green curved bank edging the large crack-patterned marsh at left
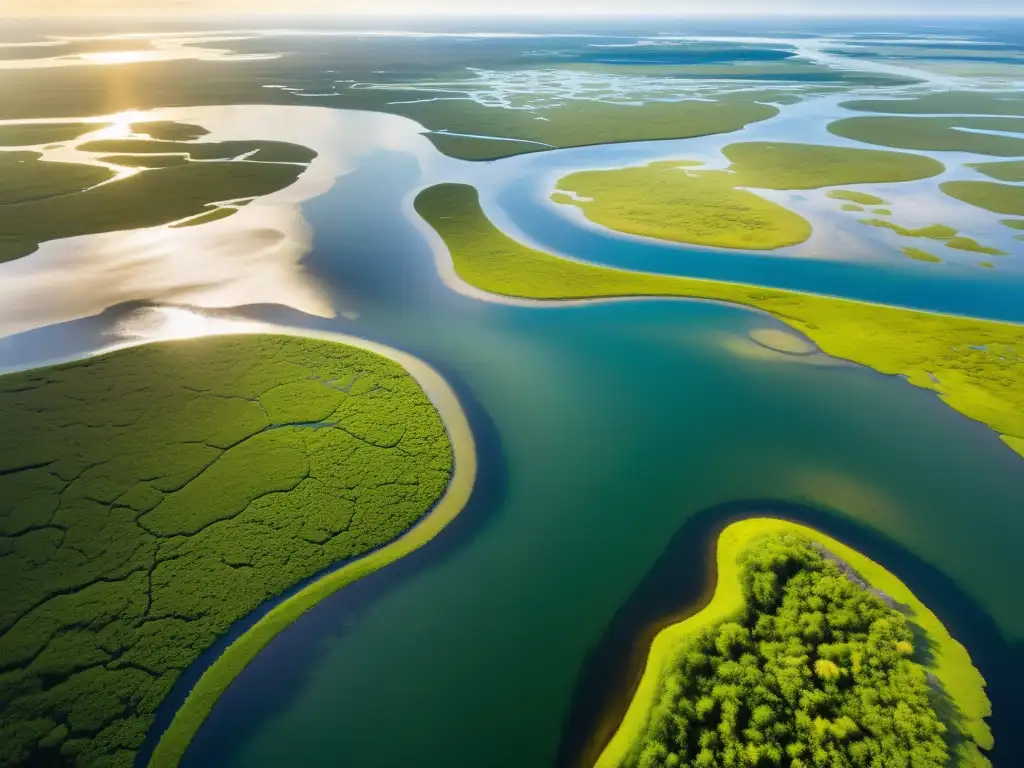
x=217, y=678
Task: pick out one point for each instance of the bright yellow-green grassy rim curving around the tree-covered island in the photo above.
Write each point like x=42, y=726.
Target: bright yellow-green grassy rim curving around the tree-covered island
x=949, y=661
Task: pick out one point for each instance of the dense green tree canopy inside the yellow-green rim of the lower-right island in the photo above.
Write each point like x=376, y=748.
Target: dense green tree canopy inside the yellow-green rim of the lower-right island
x=817, y=671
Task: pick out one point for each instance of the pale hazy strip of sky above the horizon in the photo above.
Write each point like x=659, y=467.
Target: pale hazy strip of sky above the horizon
x=510, y=8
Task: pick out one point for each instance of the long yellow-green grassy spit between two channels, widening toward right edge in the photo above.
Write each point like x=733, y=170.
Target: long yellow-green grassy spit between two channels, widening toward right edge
x=976, y=367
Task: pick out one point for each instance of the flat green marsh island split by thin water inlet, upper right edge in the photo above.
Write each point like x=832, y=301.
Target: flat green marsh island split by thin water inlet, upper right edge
x=936, y=135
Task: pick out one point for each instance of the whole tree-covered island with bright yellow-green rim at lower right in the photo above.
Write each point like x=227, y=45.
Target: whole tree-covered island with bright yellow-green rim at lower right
x=808, y=655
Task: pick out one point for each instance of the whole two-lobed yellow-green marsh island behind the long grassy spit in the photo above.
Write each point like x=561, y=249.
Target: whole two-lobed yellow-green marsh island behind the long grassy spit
x=677, y=202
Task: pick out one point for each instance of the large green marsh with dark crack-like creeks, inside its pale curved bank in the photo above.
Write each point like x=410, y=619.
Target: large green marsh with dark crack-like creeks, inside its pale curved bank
x=153, y=497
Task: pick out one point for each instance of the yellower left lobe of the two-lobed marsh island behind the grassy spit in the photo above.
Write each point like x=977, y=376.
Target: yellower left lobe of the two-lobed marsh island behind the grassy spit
x=666, y=201
